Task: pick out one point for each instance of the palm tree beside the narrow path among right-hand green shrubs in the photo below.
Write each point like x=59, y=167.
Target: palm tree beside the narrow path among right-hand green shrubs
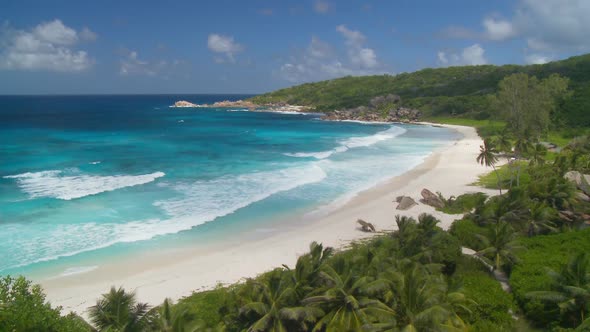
x=499, y=246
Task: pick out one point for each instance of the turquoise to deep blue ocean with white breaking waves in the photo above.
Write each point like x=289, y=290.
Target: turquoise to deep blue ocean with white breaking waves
x=84, y=176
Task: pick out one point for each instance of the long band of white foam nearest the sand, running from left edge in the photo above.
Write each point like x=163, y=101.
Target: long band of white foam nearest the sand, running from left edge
x=201, y=202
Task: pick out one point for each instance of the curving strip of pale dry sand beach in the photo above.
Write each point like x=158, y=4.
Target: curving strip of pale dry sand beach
x=176, y=273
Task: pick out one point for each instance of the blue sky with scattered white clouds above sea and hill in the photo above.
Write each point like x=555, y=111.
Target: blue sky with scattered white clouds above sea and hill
x=255, y=46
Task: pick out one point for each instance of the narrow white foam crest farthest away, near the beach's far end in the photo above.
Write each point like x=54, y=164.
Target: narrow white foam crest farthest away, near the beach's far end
x=351, y=143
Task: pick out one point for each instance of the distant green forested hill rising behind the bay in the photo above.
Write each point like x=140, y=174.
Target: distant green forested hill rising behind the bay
x=459, y=91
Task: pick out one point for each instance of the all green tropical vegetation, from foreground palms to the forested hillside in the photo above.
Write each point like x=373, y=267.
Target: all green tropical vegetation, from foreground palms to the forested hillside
x=515, y=261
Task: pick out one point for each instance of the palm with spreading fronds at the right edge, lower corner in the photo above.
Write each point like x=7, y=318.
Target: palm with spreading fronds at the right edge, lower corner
x=571, y=288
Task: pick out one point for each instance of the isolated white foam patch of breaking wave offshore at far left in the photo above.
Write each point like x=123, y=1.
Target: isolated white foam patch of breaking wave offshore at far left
x=56, y=184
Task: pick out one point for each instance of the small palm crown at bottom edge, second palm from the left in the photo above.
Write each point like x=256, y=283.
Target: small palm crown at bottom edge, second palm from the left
x=170, y=318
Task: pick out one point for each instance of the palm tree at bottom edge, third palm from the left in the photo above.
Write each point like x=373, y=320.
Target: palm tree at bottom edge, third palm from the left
x=272, y=306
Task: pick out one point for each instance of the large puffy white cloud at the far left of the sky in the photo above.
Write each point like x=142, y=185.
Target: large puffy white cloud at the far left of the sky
x=48, y=46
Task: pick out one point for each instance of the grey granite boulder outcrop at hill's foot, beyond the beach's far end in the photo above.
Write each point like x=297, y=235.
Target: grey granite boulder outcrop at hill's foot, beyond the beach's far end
x=381, y=108
